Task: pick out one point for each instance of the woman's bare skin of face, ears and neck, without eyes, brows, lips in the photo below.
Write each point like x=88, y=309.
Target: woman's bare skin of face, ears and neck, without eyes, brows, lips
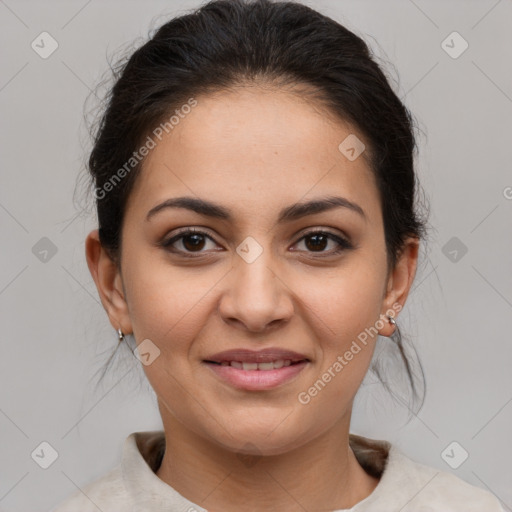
x=255, y=151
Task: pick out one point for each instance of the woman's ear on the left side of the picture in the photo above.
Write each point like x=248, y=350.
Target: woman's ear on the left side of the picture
x=107, y=277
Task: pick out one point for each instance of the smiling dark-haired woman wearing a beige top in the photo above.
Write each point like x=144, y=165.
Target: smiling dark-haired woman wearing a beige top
x=258, y=231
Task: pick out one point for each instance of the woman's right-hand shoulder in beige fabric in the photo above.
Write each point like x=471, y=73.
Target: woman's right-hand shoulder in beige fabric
x=416, y=487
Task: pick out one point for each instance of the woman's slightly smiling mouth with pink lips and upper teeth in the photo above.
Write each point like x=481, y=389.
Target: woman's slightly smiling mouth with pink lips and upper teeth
x=256, y=370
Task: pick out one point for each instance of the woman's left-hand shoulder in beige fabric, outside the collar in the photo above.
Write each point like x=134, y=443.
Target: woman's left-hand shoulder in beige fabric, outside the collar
x=101, y=494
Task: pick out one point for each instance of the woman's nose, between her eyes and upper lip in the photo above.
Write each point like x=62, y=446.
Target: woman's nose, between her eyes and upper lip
x=256, y=297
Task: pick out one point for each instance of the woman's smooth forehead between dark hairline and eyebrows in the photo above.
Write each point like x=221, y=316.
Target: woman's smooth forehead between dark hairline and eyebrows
x=253, y=148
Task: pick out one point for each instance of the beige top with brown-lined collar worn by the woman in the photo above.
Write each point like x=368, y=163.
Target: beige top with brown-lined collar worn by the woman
x=404, y=485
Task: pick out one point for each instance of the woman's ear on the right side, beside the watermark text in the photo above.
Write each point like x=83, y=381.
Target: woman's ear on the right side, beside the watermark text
x=399, y=284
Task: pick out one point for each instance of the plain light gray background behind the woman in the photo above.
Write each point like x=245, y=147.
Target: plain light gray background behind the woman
x=55, y=333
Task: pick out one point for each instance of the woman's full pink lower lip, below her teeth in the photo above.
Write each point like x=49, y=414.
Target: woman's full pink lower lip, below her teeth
x=256, y=380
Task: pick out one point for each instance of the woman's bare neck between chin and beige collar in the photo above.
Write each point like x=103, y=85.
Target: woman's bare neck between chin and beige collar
x=321, y=475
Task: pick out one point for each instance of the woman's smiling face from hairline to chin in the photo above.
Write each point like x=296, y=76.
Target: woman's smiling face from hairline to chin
x=256, y=277
